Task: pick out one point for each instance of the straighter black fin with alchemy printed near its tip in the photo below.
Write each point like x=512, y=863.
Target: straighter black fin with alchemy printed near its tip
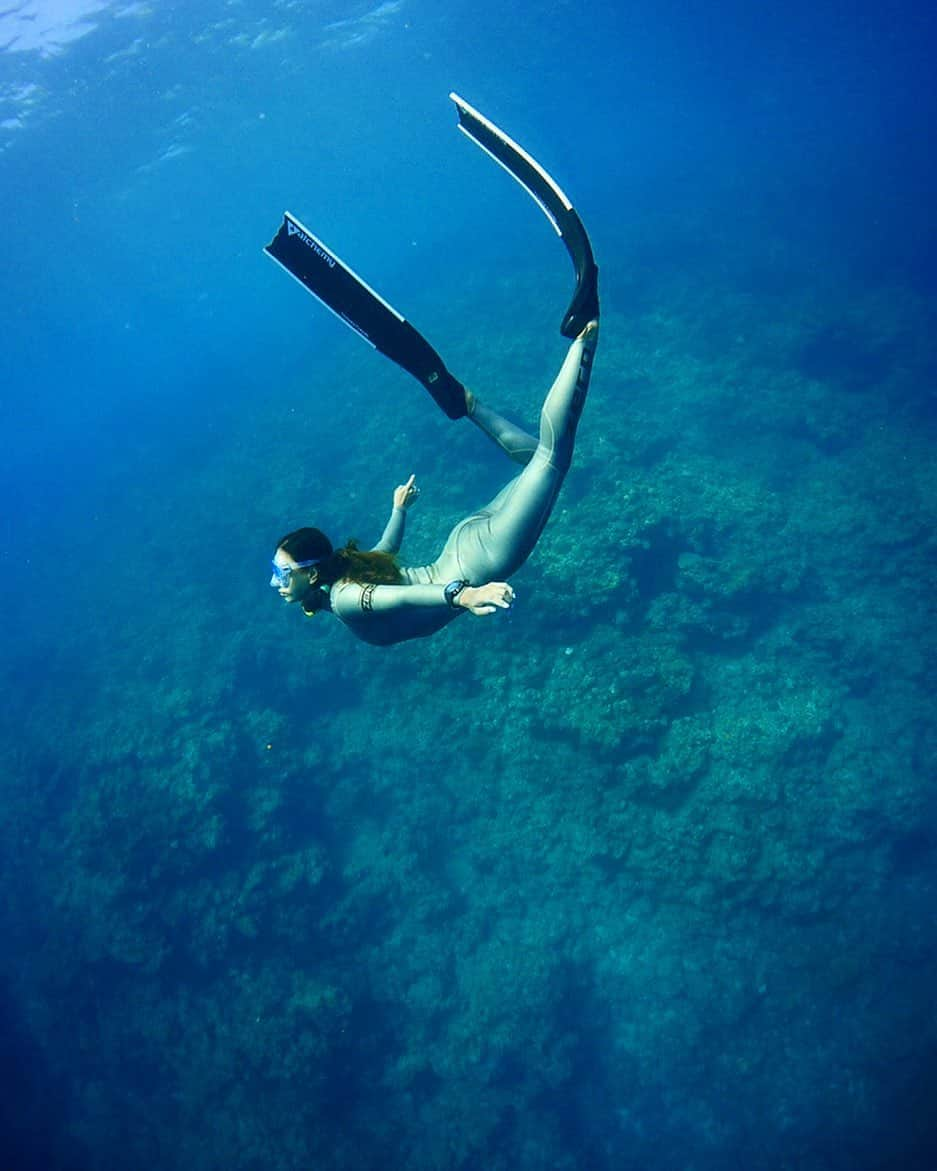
x=357, y=304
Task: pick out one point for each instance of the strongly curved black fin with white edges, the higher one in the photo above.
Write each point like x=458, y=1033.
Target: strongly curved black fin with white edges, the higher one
x=552, y=201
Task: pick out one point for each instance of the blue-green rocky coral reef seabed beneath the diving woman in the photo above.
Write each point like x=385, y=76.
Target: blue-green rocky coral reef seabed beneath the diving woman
x=644, y=868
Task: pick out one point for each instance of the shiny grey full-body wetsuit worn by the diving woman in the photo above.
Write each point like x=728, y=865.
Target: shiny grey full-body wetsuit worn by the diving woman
x=493, y=544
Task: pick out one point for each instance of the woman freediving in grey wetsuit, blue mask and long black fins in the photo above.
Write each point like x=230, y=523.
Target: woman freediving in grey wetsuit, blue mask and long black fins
x=380, y=601
